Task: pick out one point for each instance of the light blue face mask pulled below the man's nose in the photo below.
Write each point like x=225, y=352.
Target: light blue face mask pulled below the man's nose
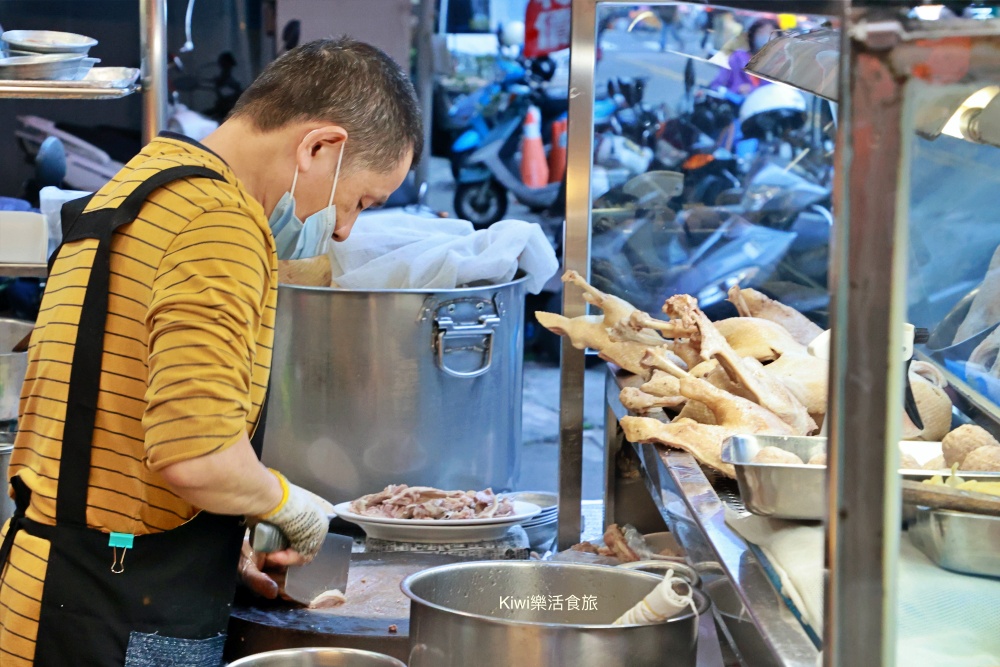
x=295, y=239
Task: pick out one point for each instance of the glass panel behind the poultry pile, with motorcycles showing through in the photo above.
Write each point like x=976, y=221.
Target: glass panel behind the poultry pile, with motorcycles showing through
x=704, y=176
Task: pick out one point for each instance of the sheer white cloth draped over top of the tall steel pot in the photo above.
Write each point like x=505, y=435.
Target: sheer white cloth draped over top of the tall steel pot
x=397, y=250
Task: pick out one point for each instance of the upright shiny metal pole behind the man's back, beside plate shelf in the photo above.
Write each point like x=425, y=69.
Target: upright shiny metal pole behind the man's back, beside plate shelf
x=153, y=38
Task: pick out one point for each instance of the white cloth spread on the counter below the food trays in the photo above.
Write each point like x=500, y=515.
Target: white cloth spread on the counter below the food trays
x=943, y=618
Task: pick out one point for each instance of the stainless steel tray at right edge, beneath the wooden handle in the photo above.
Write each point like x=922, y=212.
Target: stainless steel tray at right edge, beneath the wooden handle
x=957, y=541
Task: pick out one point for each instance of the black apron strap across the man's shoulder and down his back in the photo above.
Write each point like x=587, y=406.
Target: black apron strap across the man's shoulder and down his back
x=85, y=373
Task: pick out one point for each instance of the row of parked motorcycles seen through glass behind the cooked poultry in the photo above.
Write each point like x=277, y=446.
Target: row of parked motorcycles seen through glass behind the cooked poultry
x=740, y=194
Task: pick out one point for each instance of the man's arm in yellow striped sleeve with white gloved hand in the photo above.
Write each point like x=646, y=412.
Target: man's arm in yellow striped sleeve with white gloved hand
x=207, y=305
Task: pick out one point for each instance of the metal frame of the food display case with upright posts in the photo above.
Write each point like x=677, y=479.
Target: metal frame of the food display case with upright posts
x=881, y=53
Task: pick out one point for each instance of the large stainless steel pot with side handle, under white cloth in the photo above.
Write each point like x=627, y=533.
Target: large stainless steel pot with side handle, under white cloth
x=371, y=388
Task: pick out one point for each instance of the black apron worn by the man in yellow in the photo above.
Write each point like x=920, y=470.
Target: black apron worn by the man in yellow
x=165, y=600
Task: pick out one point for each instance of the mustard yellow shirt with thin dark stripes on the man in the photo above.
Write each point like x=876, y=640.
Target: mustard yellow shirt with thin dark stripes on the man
x=187, y=354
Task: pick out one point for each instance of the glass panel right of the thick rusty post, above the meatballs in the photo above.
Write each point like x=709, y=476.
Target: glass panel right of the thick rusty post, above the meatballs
x=954, y=269
